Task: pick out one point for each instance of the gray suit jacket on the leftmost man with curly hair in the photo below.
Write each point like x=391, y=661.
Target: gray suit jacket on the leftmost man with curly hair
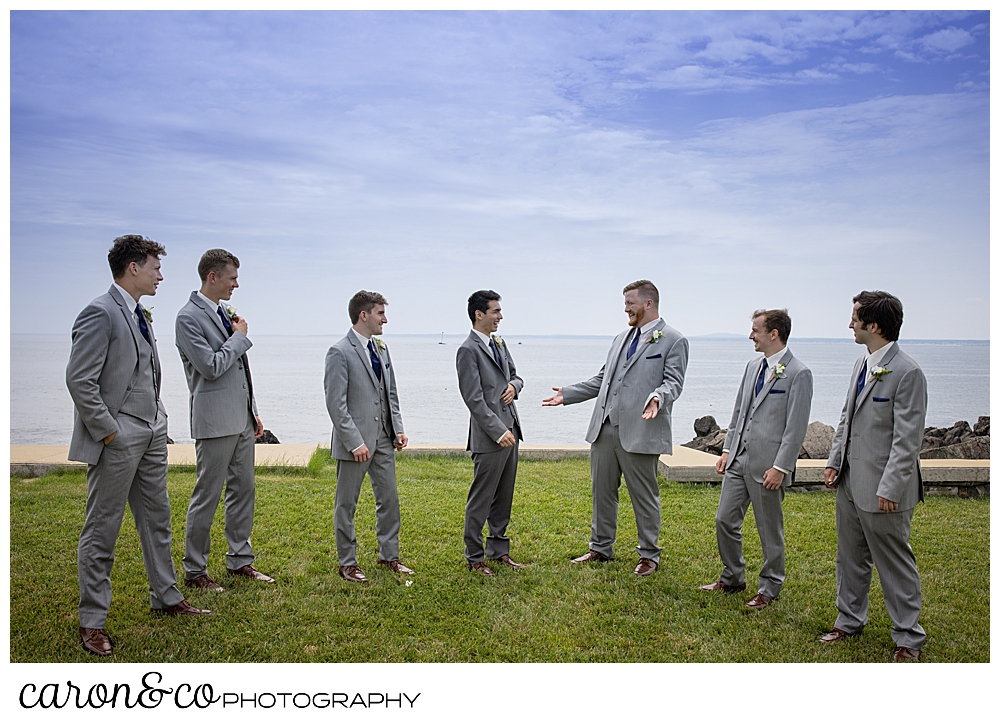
x=103, y=365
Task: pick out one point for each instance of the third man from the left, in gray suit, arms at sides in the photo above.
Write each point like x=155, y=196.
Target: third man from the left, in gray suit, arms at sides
x=361, y=398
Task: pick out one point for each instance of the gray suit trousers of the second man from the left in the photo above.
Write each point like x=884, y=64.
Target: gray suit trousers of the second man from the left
x=228, y=459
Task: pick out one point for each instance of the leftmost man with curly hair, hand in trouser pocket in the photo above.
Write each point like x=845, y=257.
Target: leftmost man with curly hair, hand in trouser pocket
x=120, y=431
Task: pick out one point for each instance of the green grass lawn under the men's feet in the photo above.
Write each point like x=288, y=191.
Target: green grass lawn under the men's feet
x=552, y=611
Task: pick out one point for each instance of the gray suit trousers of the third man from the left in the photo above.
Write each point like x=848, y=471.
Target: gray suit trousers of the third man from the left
x=381, y=469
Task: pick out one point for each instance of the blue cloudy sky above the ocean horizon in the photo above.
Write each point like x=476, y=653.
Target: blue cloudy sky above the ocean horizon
x=739, y=160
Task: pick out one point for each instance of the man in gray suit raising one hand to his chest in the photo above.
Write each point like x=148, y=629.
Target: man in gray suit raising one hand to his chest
x=212, y=341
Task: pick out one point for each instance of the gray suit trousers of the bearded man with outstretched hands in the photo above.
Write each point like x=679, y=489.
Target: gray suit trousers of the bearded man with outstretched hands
x=608, y=462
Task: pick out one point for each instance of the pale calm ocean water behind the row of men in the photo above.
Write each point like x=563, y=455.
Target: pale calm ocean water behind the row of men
x=288, y=380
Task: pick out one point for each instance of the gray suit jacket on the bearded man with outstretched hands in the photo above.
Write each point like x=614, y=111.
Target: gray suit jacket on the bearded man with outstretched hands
x=655, y=367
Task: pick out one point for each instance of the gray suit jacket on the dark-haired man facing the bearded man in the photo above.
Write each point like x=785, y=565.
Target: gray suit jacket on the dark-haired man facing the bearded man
x=481, y=381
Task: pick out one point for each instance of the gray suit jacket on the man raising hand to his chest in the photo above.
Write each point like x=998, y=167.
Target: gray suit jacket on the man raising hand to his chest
x=213, y=364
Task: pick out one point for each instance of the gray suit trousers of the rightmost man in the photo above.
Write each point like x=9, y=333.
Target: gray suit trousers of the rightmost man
x=882, y=538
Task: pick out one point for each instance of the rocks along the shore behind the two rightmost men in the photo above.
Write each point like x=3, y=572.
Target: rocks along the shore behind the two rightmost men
x=960, y=441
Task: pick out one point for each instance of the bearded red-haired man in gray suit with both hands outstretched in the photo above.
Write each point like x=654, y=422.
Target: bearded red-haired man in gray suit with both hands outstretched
x=630, y=426
